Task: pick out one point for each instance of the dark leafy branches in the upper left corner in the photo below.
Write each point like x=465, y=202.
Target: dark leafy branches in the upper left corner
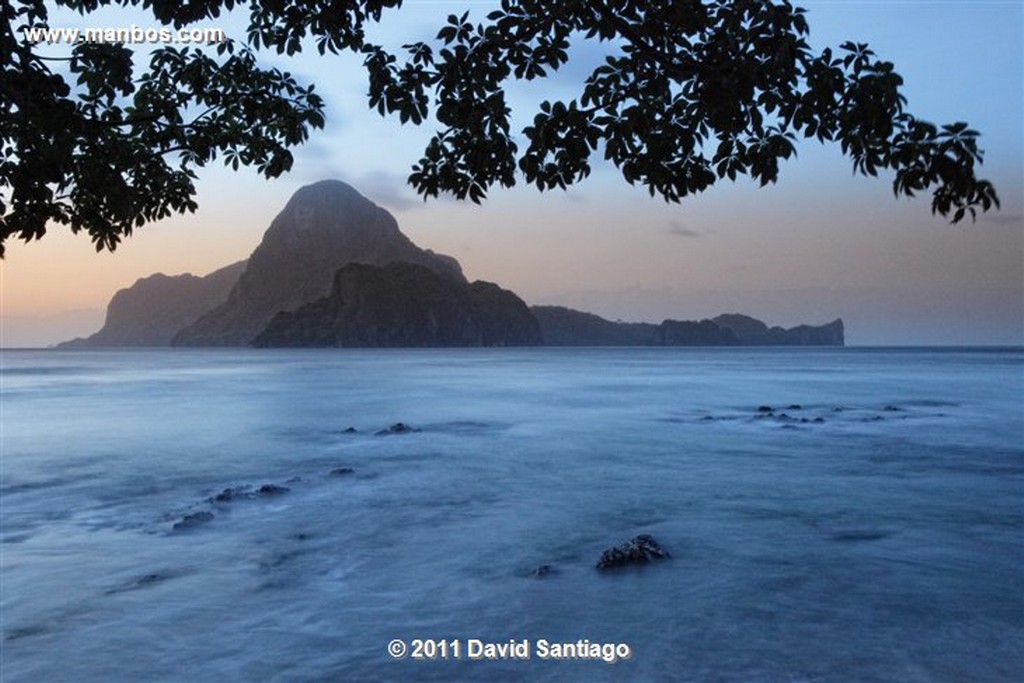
x=97, y=143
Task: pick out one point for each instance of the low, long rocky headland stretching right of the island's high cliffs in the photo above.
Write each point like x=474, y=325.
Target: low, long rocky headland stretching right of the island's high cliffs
x=565, y=327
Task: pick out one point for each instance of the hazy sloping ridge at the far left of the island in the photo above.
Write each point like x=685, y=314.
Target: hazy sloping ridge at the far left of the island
x=151, y=312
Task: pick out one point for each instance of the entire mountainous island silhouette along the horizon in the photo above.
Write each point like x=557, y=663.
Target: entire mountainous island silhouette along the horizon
x=333, y=270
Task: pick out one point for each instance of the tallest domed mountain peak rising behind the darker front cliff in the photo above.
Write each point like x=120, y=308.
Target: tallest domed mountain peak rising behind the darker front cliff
x=323, y=228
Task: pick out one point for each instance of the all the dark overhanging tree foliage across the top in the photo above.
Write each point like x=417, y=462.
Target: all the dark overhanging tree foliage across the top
x=692, y=93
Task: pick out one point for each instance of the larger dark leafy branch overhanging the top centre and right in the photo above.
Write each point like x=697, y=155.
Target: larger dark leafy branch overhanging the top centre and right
x=693, y=92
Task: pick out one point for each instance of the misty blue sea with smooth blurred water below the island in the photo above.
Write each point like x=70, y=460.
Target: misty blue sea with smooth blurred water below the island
x=832, y=515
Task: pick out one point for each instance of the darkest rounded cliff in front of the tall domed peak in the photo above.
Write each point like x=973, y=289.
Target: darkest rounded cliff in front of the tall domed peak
x=405, y=305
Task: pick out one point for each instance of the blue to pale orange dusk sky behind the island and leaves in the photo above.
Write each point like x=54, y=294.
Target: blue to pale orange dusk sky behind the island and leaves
x=821, y=244
